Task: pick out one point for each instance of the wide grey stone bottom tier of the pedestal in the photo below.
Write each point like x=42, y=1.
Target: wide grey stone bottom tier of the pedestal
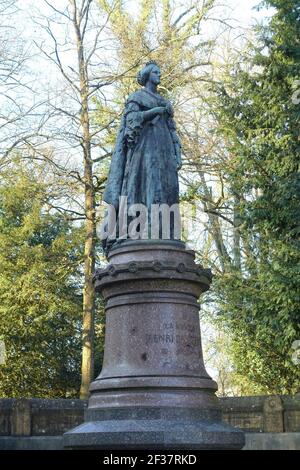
x=154, y=429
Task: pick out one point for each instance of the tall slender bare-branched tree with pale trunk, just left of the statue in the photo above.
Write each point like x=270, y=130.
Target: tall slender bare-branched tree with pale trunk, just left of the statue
x=69, y=122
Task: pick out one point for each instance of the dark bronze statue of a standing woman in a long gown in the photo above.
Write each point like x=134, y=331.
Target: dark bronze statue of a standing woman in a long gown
x=147, y=155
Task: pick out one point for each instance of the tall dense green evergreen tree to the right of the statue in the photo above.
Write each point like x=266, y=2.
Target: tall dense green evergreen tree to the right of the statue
x=259, y=304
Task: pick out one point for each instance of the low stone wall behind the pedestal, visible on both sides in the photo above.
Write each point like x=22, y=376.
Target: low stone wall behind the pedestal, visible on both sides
x=42, y=417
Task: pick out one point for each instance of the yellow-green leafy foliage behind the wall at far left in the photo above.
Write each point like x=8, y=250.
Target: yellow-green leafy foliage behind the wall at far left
x=40, y=299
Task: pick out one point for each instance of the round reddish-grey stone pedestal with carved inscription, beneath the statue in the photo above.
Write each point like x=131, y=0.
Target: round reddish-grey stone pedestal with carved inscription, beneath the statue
x=153, y=391
